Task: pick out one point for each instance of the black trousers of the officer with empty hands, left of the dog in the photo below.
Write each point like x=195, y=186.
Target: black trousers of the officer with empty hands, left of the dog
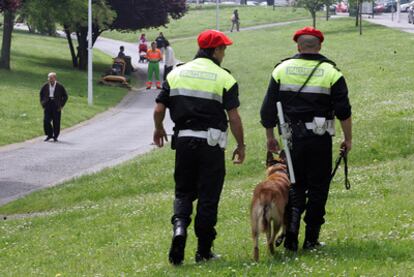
x=199, y=174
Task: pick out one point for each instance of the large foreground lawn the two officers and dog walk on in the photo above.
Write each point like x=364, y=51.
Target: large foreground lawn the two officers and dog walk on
x=117, y=222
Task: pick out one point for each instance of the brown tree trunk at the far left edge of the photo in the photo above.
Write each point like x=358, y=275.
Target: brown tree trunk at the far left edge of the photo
x=8, y=7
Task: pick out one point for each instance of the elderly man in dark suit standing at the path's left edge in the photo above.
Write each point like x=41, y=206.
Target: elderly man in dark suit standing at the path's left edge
x=53, y=98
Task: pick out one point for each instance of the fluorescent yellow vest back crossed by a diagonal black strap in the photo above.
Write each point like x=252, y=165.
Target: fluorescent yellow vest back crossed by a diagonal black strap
x=292, y=74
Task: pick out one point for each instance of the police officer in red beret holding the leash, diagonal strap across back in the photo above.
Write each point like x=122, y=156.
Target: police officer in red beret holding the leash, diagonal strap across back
x=312, y=92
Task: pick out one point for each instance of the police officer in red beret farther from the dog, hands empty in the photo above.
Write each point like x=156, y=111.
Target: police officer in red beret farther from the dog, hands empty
x=202, y=98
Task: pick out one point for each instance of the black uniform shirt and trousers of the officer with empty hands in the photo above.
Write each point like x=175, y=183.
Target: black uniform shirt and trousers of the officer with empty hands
x=199, y=167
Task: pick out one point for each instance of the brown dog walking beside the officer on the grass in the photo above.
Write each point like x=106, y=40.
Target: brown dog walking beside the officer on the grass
x=267, y=211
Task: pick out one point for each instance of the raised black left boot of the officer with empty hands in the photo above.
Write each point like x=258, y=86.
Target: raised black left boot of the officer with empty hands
x=176, y=255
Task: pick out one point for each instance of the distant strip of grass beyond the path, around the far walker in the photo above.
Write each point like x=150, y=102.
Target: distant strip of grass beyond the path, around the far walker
x=199, y=19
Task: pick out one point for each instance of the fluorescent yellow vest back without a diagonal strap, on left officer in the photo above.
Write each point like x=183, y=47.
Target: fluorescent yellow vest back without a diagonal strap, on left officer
x=200, y=78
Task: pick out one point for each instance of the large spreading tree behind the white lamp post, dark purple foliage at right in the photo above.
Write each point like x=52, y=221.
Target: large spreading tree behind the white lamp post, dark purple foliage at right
x=118, y=15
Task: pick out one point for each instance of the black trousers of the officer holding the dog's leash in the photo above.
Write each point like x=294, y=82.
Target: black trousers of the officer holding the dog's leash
x=312, y=164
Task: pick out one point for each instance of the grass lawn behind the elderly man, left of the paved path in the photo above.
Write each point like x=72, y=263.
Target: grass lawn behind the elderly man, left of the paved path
x=32, y=58
